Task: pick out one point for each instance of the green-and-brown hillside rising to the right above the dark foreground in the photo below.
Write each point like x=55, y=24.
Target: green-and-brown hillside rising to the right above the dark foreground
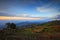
x=46, y=27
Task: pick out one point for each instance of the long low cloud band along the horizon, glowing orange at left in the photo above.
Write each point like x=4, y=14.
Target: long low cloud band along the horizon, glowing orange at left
x=24, y=16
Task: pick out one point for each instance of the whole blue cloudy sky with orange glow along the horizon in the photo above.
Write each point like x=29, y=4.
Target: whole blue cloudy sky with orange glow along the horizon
x=29, y=9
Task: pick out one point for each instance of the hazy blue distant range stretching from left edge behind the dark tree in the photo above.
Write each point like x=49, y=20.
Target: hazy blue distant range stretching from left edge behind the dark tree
x=23, y=23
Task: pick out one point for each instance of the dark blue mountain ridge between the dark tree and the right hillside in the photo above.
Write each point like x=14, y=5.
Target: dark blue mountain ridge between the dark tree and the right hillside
x=32, y=22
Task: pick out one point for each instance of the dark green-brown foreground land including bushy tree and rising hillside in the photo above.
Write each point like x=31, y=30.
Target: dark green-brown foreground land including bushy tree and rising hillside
x=46, y=31
